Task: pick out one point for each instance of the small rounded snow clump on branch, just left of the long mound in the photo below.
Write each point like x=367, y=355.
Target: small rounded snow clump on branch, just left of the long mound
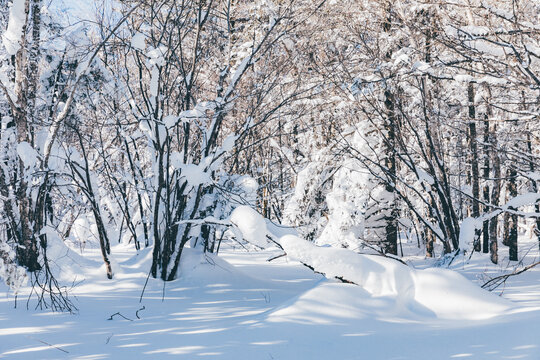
x=251, y=225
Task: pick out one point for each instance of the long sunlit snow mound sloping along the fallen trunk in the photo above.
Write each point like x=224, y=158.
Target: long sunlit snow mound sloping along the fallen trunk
x=439, y=293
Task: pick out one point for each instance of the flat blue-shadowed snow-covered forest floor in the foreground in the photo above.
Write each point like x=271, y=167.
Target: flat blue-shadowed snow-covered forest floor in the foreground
x=239, y=306
